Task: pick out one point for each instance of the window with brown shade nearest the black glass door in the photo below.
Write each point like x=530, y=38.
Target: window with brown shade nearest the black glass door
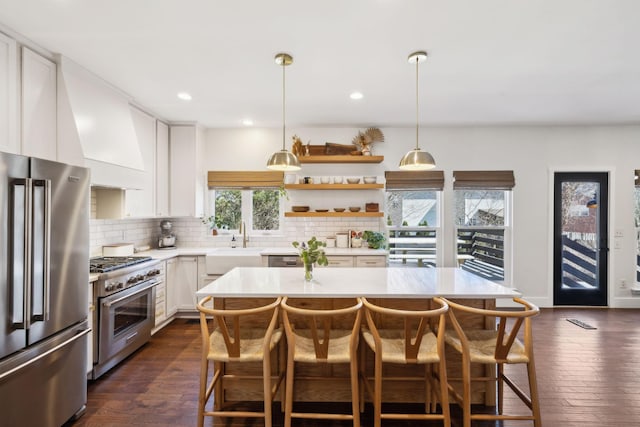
x=482, y=209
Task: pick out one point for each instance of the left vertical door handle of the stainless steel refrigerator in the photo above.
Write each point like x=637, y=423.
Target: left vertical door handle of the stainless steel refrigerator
x=20, y=252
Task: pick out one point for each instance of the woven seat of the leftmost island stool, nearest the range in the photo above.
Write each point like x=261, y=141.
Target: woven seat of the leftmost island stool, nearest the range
x=251, y=343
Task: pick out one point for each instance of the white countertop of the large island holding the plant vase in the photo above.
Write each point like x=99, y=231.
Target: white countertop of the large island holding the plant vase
x=371, y=282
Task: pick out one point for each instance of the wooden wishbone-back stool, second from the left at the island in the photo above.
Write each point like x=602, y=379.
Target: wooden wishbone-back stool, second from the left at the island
x=324, y=351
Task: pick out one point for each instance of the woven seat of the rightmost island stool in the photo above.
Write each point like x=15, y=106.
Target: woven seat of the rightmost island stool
x=482, y=346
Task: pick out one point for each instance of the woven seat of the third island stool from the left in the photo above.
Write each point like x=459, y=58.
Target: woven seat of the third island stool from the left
x=393, y=346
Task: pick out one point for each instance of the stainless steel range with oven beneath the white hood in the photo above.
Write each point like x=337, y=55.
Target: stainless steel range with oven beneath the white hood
x=124, y=297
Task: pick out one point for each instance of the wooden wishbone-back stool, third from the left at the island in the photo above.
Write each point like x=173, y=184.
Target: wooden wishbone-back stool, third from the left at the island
x=418, y=328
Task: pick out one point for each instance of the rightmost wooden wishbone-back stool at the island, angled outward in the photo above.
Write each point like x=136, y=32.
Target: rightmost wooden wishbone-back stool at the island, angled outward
x=507, y=348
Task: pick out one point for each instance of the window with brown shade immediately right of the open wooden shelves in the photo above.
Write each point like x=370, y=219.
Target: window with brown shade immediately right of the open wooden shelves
x=413, y=217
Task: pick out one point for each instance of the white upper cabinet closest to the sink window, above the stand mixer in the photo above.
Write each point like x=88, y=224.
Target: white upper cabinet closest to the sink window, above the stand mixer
x=186, y=183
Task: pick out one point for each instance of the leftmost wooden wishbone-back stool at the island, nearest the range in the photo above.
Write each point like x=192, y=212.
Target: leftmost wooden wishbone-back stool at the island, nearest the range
x=228, y=342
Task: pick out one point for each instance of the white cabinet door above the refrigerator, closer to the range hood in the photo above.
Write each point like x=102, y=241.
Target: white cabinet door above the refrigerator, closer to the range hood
x=39, y=100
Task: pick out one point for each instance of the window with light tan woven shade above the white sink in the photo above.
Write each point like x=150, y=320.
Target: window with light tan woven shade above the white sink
x=245, y=196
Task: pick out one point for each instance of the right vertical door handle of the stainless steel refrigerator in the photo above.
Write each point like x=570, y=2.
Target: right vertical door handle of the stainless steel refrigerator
x=41, y=231
